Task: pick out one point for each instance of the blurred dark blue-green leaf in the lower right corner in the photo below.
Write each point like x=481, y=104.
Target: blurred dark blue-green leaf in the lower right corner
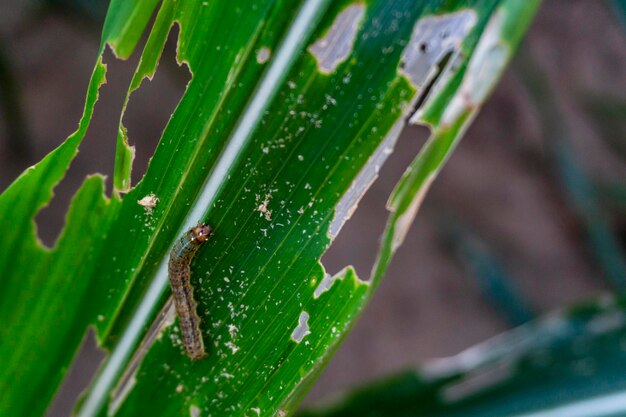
x=570, y=363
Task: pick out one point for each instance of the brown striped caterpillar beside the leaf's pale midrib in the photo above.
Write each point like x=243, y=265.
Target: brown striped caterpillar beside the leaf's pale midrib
x=179, y=272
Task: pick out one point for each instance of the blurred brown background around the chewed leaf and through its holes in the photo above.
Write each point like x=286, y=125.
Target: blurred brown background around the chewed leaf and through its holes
x=527, y=216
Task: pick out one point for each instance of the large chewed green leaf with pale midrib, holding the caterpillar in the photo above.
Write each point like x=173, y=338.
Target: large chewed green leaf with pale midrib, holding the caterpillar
x=290, y=111
